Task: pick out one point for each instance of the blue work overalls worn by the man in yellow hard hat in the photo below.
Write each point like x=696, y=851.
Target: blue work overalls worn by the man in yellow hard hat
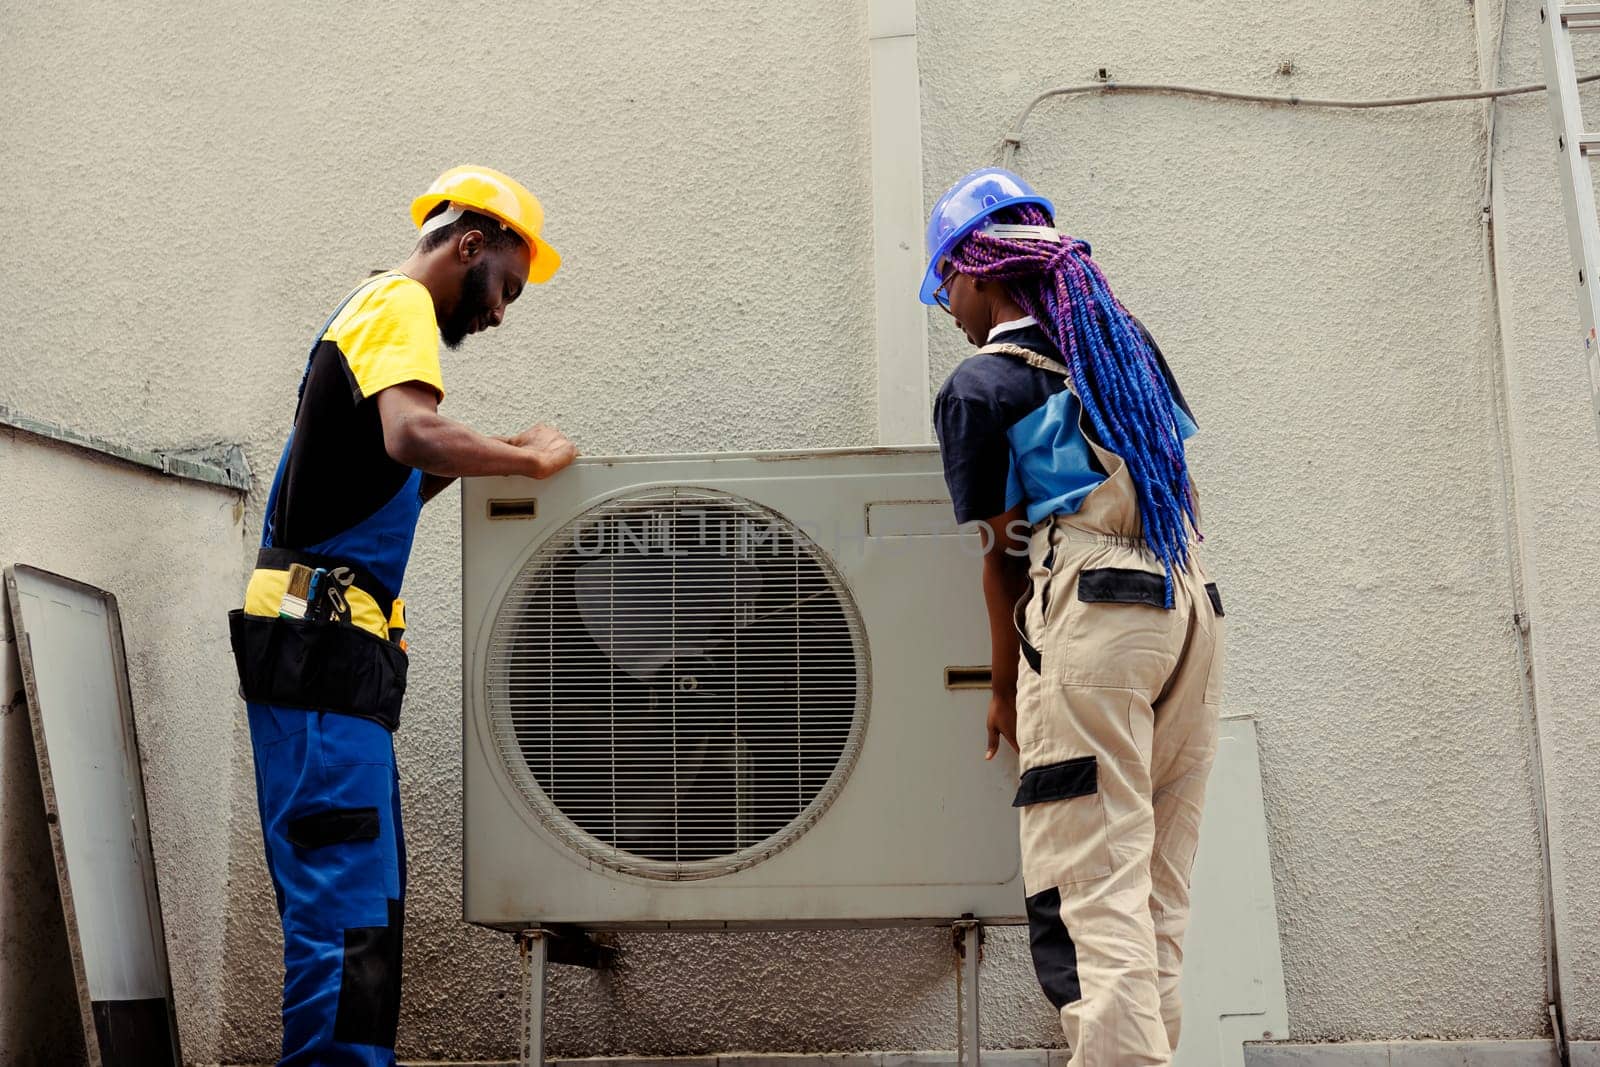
x=324, y=700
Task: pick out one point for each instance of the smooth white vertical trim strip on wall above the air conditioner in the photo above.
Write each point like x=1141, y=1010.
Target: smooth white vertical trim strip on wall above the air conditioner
x=897, y=225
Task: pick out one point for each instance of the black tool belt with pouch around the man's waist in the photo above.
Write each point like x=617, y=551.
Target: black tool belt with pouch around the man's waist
x=324, y=666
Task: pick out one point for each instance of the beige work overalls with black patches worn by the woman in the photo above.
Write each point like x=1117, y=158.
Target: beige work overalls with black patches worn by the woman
x=1118, y=722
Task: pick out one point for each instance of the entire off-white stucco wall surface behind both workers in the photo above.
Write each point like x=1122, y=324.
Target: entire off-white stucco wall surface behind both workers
x=198, y=188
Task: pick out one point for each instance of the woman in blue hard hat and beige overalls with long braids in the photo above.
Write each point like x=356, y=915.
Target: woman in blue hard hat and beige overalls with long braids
x=1068, y=431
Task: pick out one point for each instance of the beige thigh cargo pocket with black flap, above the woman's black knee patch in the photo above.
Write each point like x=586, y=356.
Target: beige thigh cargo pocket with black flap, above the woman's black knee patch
x=1065, y=821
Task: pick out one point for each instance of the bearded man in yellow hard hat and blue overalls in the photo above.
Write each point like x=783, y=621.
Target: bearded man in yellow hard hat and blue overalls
x=319, y=644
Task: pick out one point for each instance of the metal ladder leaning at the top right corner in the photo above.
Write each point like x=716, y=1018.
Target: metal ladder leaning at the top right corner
x=1583, y=228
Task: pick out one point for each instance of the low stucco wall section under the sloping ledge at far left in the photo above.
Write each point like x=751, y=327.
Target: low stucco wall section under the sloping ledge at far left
x=169, y=551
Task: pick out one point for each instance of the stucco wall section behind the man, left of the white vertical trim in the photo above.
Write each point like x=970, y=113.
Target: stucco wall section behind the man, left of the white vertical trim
x=231, y=172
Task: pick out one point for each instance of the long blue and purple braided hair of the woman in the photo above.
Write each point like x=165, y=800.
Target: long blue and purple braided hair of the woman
x=1114, y=374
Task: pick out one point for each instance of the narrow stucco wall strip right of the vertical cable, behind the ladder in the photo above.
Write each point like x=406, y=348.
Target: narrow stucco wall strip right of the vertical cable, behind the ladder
x=1559, y=492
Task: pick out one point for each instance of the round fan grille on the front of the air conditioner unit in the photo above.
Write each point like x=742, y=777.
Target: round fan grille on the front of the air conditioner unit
x=678, y=682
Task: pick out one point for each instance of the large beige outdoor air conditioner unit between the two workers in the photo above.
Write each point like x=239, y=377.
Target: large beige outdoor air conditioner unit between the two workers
x=737, y=690
